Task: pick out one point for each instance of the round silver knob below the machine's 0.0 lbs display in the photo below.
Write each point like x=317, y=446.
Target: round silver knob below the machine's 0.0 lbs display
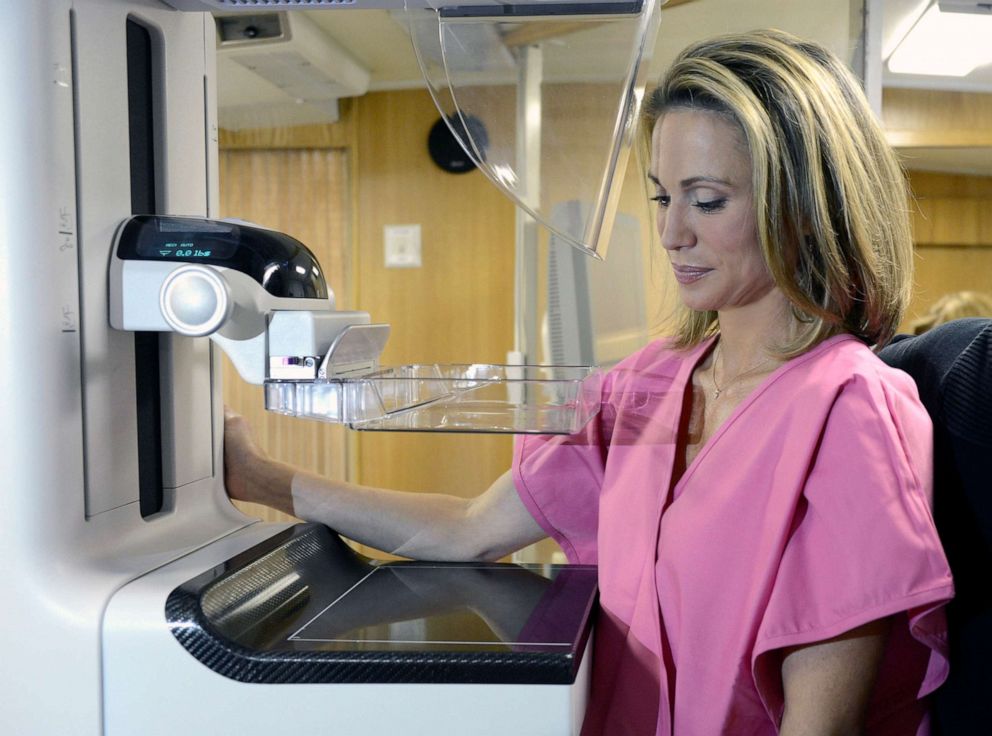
x=195, y=300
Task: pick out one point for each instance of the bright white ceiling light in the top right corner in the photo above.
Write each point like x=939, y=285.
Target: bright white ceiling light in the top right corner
x=944, y=44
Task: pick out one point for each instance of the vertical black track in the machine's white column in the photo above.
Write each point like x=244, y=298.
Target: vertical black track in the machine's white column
x=141, y=128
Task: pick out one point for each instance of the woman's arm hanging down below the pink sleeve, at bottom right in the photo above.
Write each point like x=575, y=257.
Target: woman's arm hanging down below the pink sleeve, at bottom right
x=827, y=685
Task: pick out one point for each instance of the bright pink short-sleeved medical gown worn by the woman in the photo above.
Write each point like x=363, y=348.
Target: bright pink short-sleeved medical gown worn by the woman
x=805, y=515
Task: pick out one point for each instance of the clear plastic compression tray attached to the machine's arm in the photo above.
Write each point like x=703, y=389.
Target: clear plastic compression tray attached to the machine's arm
x=485, y=398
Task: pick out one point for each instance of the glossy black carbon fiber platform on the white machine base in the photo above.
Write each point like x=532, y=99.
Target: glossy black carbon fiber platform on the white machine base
x=303, y=607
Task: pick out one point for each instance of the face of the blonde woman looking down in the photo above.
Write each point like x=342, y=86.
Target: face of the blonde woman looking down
x=706, y=215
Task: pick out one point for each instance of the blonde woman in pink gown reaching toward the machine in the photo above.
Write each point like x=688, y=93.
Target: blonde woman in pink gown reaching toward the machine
x=755, y=490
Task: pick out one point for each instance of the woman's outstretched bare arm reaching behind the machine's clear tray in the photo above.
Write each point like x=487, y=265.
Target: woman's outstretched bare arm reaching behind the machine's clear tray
x=425, y=526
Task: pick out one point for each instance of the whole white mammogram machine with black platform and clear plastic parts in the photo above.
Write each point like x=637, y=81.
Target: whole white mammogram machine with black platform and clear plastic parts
x=136, y=599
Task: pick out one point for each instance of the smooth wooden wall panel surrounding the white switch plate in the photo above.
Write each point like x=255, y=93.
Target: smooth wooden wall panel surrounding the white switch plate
x=457, y=307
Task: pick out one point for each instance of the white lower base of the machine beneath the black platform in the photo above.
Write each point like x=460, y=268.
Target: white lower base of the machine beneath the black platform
x=177, y=694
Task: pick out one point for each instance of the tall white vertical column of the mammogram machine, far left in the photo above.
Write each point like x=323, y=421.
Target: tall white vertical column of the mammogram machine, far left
x=71, y=533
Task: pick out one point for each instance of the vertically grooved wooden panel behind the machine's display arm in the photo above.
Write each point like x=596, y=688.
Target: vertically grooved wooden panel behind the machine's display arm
x=303, y=193
